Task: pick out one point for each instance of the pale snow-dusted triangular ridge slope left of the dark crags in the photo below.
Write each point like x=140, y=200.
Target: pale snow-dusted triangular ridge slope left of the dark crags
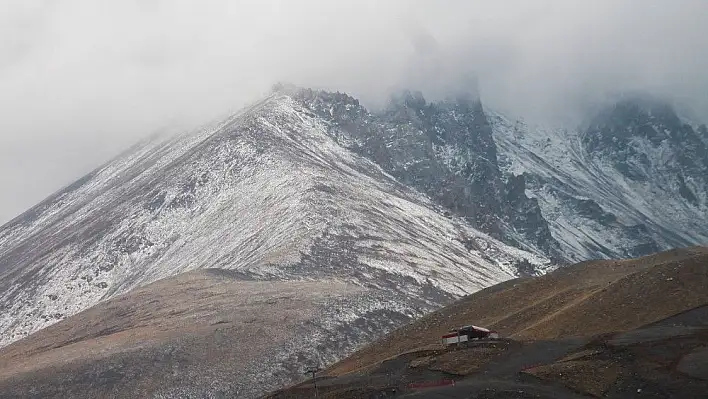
x=267, y=193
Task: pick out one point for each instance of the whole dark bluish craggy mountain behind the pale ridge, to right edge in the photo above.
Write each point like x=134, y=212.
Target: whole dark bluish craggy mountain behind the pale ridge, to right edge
x=633, y=181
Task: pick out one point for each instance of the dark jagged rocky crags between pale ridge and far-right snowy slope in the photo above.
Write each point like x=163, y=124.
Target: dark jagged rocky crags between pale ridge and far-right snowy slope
x=444, y=149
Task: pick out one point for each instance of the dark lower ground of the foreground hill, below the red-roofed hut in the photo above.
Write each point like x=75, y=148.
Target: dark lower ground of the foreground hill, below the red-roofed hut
x=662, y=360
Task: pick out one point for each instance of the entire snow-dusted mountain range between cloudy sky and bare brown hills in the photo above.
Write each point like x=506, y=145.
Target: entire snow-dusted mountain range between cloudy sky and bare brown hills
x=416, y=204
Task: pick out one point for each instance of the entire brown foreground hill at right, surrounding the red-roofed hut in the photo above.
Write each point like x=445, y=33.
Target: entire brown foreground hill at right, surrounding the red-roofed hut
x=623, y=329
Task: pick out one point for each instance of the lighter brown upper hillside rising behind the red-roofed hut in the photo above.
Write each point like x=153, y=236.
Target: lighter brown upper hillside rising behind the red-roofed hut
x=581, y=300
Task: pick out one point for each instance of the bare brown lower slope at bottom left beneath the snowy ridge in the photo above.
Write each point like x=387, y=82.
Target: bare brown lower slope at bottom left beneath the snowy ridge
x=170, y=338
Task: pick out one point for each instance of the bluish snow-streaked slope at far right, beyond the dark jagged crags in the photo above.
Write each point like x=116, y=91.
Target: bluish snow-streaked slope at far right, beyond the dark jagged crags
x=632, y=182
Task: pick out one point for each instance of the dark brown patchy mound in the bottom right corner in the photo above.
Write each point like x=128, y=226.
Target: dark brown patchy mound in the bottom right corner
x=667, y=358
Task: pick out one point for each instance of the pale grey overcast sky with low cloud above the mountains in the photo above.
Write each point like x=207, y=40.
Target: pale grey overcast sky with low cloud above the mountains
x=82, y=80
